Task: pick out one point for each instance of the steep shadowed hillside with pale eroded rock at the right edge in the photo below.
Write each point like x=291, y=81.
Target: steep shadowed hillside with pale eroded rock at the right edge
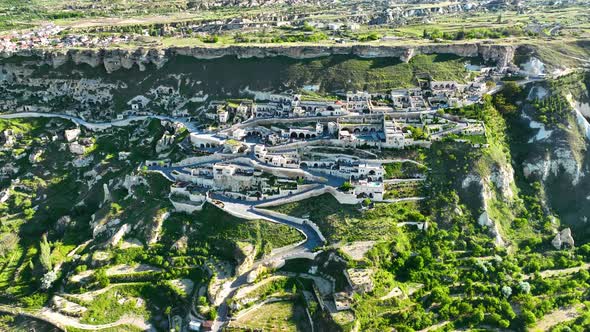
x=554, y=155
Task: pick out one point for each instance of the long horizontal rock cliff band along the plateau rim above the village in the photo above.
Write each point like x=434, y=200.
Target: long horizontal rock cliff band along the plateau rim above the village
x=115, y=59
